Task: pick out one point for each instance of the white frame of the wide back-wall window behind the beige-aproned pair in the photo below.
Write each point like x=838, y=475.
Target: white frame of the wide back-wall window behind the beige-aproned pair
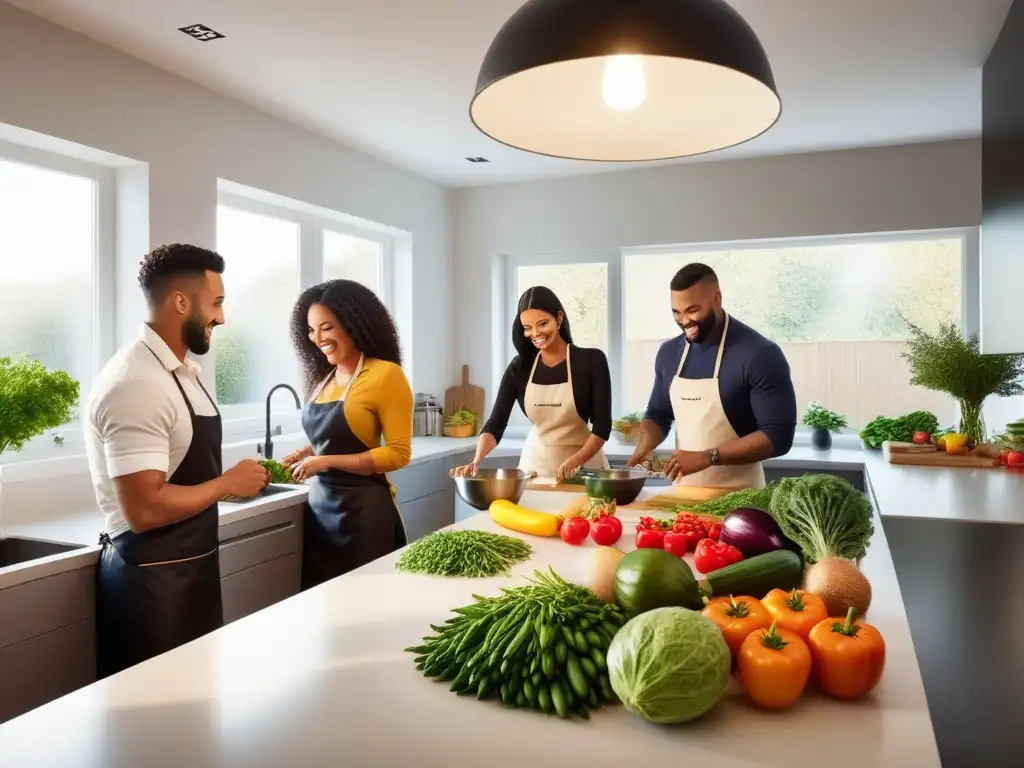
x=617, y=261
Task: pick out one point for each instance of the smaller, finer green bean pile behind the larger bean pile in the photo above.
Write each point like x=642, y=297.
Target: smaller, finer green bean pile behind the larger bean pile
x=464, y=553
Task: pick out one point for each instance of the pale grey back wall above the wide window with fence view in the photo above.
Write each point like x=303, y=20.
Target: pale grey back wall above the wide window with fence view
x=921, y=187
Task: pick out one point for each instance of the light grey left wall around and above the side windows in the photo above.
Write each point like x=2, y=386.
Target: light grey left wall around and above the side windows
x=59, y=83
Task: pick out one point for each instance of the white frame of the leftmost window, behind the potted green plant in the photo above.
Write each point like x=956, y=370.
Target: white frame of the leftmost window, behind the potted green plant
x=104, y=180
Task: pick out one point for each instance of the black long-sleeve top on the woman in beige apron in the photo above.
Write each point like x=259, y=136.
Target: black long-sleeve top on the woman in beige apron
x=591, y=390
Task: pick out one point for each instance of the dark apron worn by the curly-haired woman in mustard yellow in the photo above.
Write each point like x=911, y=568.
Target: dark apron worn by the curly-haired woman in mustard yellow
x=351, y=520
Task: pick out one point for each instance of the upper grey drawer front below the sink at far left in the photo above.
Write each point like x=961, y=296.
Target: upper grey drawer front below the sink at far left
x=47, y=605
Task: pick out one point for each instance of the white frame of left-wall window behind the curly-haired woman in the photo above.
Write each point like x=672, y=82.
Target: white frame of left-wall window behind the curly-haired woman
x=246, y=419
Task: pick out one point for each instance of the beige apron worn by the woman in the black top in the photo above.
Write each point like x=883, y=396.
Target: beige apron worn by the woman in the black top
x=559, y=433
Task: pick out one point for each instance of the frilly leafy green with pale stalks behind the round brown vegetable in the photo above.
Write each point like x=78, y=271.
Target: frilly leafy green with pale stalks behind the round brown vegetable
x=825, y=516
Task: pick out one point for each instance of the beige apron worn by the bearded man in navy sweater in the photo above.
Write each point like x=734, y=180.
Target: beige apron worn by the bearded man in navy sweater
x=702, y=424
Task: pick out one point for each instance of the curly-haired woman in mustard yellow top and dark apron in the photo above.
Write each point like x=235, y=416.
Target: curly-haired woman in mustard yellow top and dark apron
x=357, y=396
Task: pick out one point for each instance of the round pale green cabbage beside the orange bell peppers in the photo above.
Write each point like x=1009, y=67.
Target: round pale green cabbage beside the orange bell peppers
x=669, y=665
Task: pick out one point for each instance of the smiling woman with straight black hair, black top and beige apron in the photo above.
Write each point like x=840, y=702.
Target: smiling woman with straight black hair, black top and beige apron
x=562, y=389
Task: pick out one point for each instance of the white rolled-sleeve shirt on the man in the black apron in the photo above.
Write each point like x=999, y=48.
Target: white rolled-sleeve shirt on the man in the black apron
x=137, y=419
